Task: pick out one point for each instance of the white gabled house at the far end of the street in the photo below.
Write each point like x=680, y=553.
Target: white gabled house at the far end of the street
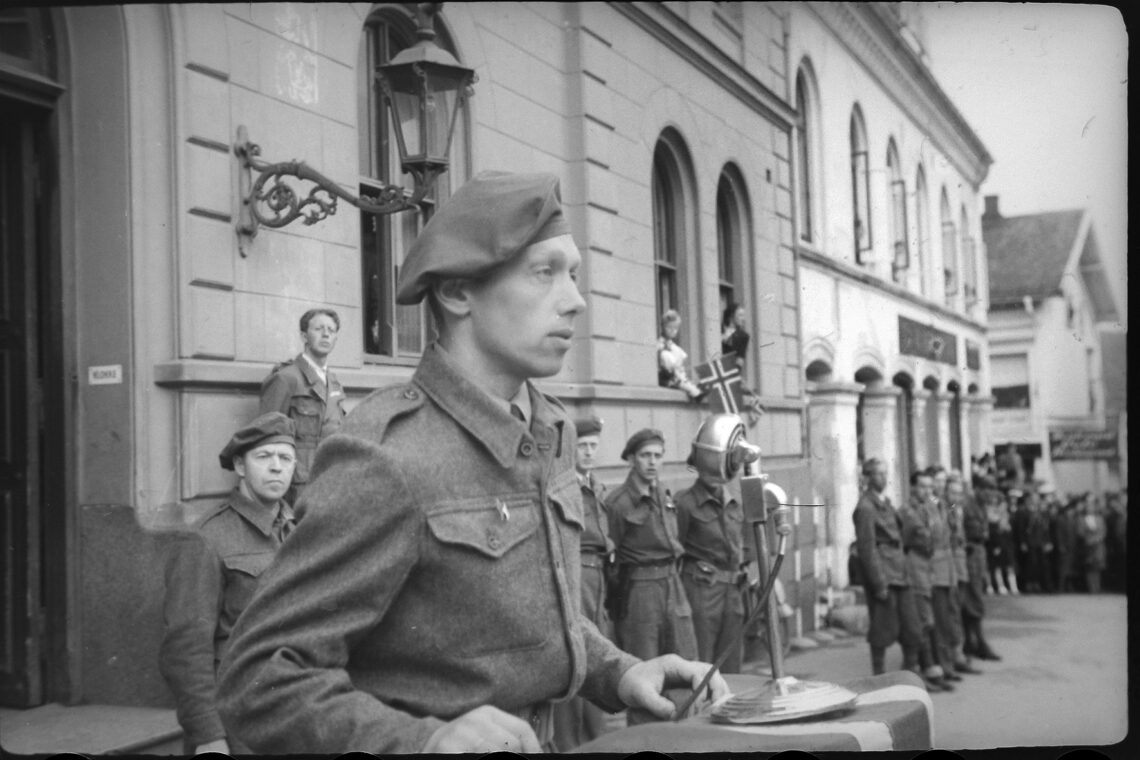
x=1048, y=292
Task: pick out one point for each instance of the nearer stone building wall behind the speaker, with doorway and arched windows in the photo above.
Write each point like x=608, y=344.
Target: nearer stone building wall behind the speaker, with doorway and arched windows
x=148, y=322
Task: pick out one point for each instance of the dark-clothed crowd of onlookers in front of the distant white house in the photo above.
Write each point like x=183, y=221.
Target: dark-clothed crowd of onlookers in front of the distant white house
x=1045, y=542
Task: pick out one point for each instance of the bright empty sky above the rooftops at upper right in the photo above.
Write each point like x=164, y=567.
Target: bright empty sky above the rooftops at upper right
x=1045, y=87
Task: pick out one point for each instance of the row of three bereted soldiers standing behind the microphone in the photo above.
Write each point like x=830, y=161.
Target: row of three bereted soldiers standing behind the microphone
x=659, y=574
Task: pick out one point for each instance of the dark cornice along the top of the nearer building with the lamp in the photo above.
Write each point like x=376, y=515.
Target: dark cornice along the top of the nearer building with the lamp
x=679, y=36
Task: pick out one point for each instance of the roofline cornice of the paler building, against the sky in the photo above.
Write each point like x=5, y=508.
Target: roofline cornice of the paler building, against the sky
x=868, y=31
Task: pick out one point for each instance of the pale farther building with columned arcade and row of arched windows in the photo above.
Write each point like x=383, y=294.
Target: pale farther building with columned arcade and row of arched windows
x=891, y=261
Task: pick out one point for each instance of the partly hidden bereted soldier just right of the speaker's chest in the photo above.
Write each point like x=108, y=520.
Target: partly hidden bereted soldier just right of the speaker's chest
x=577, y=722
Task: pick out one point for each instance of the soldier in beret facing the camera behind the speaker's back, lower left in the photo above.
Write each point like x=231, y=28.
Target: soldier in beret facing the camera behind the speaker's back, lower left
x=211, y=575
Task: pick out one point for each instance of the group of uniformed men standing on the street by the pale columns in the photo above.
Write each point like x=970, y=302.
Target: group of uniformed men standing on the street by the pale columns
x=923, y=569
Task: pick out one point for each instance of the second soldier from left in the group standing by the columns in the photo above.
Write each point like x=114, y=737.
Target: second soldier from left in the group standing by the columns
x=921, y=524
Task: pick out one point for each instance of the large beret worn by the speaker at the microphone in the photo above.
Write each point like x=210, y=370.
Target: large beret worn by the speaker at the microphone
x=487, y=223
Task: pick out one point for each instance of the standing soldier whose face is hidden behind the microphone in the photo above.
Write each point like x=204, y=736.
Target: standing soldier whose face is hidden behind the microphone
x=711, y=525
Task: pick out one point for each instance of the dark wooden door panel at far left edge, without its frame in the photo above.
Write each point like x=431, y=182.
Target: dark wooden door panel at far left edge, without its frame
x=21, y=406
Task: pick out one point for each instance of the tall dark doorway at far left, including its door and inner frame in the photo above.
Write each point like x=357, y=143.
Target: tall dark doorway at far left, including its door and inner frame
x=32, y=467
